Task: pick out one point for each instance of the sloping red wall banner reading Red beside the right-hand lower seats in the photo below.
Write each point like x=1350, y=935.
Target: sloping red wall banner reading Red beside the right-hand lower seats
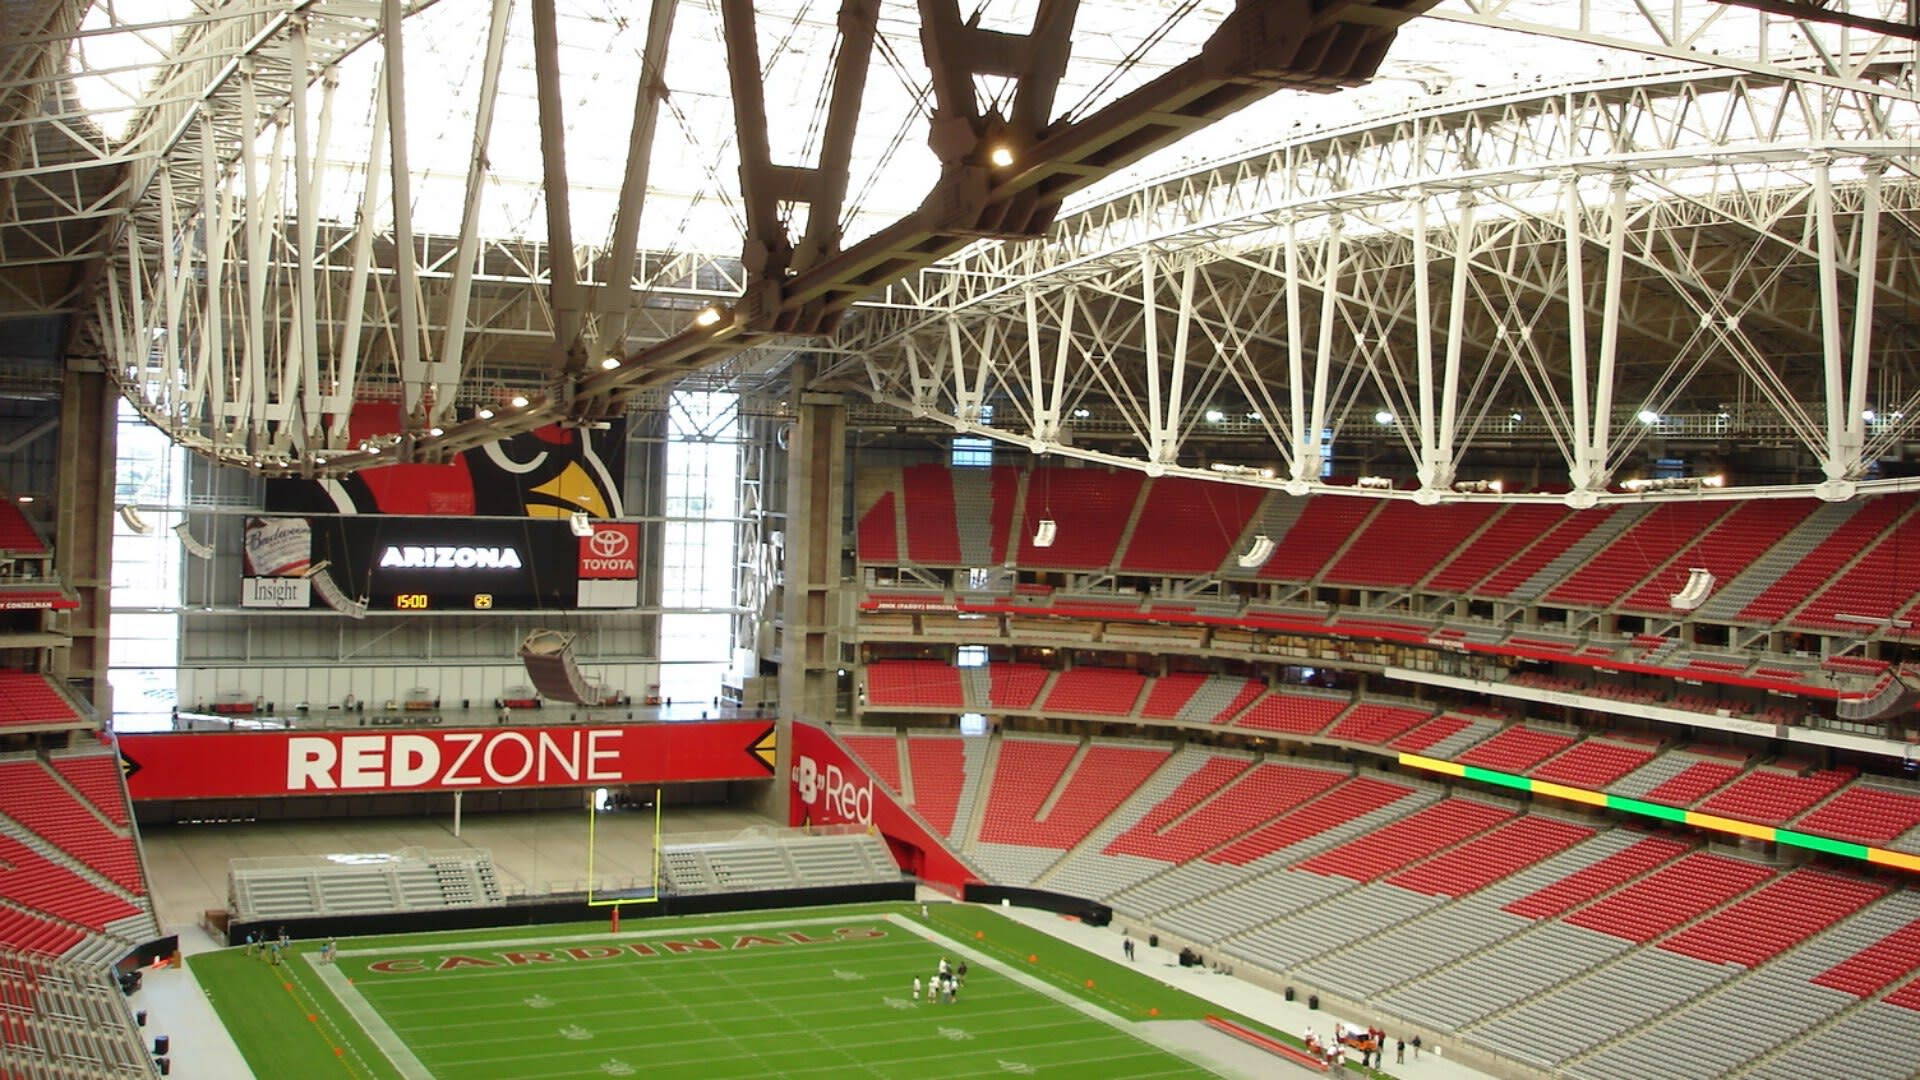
x=828, y=787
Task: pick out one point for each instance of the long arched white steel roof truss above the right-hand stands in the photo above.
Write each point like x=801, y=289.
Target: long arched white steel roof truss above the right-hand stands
x=1600, y=268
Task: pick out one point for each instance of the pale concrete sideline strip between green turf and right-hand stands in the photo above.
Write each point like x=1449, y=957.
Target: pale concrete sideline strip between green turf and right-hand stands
x=1230, y=993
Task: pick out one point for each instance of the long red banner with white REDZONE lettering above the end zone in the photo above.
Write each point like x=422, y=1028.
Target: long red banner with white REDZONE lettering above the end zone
x=220, y=766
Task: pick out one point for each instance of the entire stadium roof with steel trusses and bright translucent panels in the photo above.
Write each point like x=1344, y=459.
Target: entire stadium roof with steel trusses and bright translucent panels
x=1668, y=222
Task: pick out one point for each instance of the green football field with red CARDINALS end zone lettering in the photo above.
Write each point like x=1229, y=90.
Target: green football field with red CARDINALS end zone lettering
x=805, y=993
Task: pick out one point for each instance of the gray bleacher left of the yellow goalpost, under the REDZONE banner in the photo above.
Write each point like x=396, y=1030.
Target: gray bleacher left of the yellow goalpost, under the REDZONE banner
x=404, y=881
